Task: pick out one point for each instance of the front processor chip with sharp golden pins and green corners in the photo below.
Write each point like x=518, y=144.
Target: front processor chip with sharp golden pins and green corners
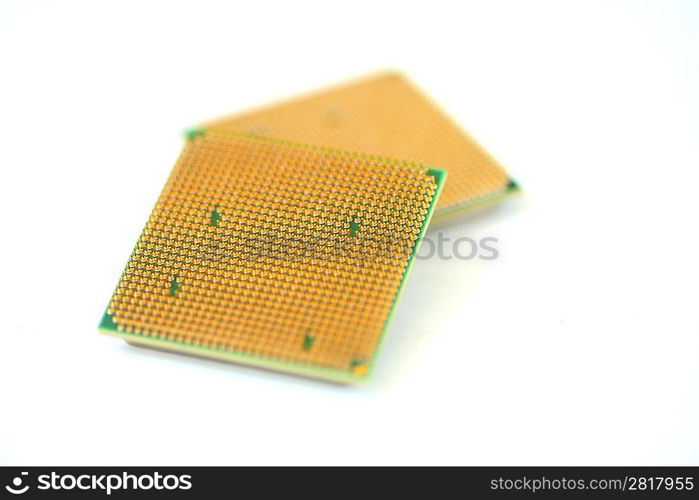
x=275, y=254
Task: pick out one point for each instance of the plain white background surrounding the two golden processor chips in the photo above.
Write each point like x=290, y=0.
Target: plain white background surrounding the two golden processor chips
x=579, y=345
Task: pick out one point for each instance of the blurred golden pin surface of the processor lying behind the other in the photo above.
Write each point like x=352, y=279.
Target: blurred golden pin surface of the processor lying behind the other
x=385, y=116
